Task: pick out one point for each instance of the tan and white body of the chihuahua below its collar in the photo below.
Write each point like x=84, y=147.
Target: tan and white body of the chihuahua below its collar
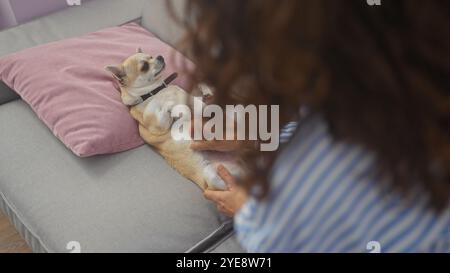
x=199, y=167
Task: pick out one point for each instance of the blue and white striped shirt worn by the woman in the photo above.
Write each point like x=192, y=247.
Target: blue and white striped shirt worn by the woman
x=327, y=196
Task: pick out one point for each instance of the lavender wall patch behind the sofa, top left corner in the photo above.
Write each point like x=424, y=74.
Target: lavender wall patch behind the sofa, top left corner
x=13, y=12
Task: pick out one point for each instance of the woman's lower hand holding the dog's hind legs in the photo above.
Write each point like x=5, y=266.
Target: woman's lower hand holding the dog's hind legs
x=228, y=202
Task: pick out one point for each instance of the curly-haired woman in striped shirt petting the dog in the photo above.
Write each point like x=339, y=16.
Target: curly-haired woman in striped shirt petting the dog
x=369, y=163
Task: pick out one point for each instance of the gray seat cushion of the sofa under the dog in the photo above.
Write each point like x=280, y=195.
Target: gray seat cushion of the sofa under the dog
x=131, y=202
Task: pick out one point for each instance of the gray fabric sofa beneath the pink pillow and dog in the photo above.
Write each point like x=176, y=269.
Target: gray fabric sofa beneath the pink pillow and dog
x=106, y=203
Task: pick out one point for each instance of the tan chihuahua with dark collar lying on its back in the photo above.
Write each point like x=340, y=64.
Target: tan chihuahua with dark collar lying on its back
x=139, y=75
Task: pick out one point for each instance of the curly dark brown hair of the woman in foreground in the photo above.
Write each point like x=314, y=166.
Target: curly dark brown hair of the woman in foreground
x=379, y=75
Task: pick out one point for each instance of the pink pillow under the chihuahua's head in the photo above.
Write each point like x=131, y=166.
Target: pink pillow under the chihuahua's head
x=67, y=87
